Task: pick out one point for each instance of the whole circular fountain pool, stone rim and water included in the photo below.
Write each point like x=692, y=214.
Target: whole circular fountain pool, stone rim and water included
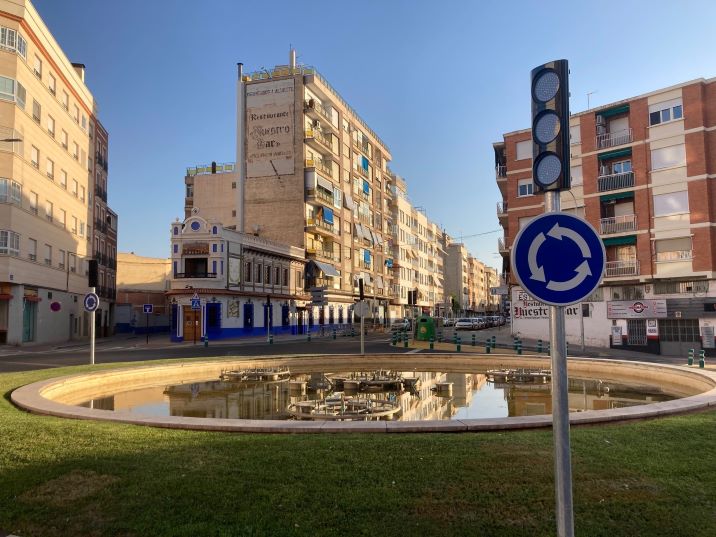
x=388, y=393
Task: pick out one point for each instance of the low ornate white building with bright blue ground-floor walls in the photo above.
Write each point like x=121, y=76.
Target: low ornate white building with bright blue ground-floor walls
x=245, y=284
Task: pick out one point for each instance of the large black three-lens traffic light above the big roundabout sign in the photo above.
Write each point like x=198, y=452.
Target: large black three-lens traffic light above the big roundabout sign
x=550, y=126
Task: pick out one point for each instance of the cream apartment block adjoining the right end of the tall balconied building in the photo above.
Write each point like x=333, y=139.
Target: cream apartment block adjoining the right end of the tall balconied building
x=418, y=256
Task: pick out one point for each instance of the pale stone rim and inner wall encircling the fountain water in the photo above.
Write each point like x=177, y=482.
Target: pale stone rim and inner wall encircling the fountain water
x=39, y=397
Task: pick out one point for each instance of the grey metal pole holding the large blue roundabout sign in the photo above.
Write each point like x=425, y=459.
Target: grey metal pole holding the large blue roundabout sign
x=560, y=406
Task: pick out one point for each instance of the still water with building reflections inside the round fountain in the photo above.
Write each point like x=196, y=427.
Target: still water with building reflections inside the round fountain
x=413, y=395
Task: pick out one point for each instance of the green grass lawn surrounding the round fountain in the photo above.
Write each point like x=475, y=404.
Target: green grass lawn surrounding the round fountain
x=69, y=477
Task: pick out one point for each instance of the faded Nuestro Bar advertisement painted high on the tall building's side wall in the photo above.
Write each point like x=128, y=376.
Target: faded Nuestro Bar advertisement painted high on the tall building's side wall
x=269, y=126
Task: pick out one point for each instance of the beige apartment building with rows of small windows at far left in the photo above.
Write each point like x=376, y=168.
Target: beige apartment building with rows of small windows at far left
x=47, y=139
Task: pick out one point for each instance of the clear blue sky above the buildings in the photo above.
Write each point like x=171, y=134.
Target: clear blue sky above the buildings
x=438, y=81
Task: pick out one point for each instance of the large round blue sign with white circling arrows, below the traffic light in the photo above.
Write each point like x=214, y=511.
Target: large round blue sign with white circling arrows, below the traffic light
x=558, y=258
